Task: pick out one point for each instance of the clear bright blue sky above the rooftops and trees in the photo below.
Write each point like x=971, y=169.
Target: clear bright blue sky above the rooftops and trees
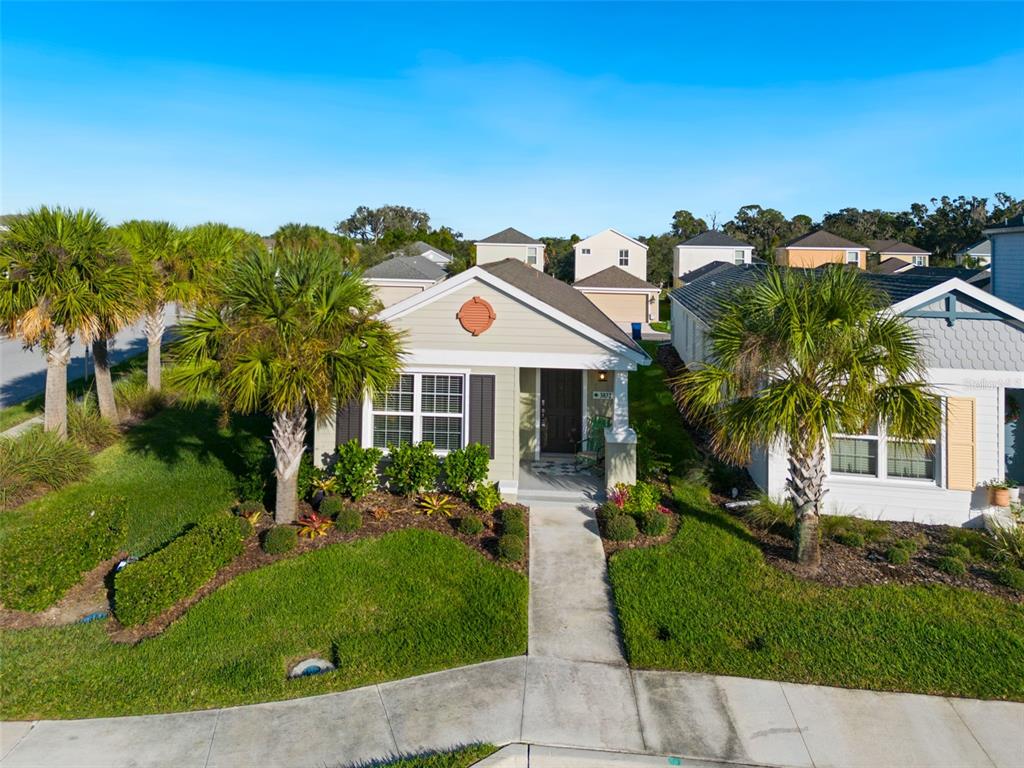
x=554, y=119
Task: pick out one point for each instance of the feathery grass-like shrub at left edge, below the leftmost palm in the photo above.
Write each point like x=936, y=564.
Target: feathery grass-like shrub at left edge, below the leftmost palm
x=38, y=458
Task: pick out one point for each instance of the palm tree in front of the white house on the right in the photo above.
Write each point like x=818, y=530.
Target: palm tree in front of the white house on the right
x=801, y=357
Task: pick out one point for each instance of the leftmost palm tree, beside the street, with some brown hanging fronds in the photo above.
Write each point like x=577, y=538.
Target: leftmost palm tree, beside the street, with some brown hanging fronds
x=63, y=277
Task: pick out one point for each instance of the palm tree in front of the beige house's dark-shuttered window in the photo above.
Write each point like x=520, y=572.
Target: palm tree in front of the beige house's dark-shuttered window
x=290, y=332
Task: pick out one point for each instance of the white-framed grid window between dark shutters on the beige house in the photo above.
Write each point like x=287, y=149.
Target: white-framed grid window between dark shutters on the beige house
x=421, y=407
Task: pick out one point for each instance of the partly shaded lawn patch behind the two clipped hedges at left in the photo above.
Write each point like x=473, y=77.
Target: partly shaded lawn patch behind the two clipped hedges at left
x=175, y=470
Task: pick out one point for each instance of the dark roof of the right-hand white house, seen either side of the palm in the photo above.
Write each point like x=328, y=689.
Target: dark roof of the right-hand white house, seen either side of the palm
x=703, y=296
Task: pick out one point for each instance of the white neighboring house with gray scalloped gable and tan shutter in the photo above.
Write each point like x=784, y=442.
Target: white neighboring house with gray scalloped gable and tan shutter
x=973, y=345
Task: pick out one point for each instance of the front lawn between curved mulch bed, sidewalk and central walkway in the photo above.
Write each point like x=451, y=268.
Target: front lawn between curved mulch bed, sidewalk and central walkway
x=407, y=604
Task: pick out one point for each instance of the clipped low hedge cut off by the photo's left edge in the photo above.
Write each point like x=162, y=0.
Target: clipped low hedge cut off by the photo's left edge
x=41, y=562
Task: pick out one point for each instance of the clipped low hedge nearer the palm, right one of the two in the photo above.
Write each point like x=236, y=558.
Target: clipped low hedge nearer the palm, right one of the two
x=148, y=588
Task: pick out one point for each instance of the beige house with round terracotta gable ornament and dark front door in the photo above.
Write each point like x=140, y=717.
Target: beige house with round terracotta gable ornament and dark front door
x=507, y=357
